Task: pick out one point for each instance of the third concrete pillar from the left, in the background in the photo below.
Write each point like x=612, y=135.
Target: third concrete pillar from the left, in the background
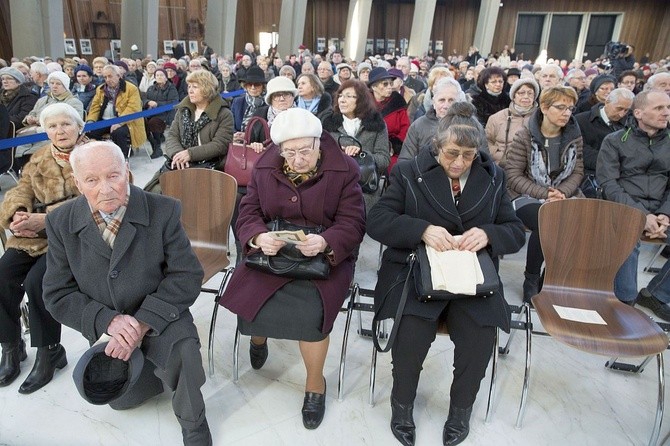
x=220, y=26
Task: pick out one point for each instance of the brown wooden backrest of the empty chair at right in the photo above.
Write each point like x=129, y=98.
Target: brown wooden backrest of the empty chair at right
x=585, y=242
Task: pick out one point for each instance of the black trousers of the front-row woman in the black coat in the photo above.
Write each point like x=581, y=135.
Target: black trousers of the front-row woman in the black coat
x=473, y=348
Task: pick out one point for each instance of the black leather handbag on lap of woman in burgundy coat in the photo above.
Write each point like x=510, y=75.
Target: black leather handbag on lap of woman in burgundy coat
x=289, y=261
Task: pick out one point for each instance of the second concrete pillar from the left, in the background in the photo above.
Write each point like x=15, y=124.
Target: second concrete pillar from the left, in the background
x=139, y=26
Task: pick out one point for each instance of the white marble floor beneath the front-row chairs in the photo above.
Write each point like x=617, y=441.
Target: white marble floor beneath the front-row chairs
x=573, y=399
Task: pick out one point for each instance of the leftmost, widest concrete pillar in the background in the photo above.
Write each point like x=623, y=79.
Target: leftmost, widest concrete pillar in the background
x=44, y=19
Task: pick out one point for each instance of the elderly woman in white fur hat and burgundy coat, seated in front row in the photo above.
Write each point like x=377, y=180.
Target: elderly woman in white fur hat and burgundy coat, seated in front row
x=304, y=179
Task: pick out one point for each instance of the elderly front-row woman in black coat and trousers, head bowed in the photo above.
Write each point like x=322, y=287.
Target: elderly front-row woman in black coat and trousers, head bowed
x=420, y=206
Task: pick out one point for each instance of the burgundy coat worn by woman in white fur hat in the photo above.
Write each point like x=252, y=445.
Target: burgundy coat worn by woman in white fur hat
x=332, y=198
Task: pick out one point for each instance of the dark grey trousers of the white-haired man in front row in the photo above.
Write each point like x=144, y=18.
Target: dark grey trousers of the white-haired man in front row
x=183, y=374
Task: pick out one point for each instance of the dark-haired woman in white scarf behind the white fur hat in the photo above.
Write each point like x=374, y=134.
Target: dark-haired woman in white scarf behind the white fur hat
x=356, y=116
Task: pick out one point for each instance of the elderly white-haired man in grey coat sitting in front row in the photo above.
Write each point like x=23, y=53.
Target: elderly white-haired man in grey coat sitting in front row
x=120, y=263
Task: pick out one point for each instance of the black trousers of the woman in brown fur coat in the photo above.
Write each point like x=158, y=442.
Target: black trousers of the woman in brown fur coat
x=19, y=273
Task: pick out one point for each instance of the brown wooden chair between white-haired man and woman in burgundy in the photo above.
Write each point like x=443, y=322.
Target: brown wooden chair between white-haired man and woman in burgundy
x=208, y=201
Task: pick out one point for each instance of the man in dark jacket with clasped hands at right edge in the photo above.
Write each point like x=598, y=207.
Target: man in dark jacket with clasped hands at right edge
x=632, y=168
